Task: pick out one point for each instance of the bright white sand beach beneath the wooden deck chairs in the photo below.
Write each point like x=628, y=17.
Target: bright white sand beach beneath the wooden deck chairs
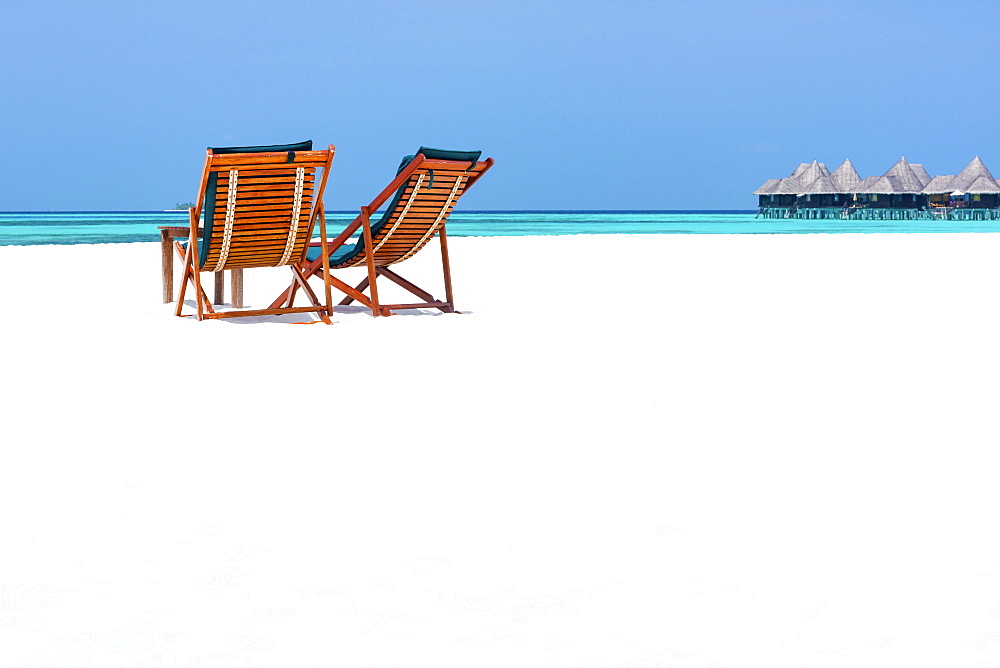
x=646, y=451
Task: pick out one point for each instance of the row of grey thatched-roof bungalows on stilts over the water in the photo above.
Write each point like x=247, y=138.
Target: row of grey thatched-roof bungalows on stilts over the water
x=906, y=190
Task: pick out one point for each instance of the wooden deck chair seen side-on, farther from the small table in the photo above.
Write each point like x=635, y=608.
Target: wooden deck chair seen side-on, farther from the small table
x=423, y=194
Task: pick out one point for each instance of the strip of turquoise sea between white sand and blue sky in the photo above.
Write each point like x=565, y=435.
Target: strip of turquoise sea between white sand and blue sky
x=89, y=227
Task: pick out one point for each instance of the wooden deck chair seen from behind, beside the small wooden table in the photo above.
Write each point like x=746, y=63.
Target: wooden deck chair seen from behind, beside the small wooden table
x=260, y=205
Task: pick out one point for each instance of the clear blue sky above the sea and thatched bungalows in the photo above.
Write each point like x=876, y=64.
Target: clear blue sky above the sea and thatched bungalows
x=590, y=104
